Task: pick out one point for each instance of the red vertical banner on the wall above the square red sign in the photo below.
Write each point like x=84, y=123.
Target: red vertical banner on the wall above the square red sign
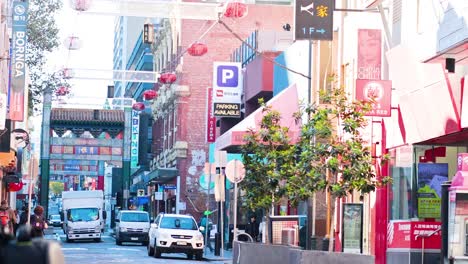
x=369, y=54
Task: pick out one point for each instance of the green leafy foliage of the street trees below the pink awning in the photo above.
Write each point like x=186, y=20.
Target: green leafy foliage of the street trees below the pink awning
x=330, y=153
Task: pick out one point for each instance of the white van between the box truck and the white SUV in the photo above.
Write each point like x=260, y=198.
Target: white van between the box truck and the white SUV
x=132, y=226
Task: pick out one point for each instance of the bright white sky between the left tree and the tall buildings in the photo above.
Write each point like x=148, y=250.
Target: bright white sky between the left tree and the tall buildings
x=96, y=33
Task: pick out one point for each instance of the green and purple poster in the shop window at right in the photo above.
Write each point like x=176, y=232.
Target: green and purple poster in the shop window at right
x=430, y=178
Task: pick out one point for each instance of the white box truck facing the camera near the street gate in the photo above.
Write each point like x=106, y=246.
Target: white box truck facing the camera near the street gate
x=83, y=215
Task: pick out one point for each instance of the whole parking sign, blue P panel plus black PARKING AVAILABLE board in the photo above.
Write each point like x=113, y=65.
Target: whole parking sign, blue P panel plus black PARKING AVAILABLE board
x=227, y=89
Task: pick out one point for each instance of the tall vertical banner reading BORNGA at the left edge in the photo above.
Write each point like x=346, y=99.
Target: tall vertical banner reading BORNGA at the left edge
x=18, y=66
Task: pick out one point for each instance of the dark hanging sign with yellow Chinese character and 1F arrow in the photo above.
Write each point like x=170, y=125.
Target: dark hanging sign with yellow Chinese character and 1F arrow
x=314, y=19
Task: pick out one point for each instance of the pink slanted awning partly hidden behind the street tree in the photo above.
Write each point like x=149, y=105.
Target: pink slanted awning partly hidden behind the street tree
x=286, y=102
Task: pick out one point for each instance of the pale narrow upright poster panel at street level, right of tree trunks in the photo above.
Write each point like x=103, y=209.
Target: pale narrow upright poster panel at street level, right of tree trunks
x=352, y=228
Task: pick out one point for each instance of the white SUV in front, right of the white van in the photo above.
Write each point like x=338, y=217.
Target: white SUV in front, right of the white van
x=175, y=233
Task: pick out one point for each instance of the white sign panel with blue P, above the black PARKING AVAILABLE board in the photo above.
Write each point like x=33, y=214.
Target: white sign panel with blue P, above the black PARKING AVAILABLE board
x=227, y=82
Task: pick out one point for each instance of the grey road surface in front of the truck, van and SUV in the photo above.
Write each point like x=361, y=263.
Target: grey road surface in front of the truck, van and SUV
x=108, y=252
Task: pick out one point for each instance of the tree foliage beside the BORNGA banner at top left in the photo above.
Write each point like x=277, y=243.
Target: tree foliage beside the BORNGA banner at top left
x=42, y=33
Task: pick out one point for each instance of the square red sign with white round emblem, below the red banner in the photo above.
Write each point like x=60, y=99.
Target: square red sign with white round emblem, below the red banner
x=380, y=91
